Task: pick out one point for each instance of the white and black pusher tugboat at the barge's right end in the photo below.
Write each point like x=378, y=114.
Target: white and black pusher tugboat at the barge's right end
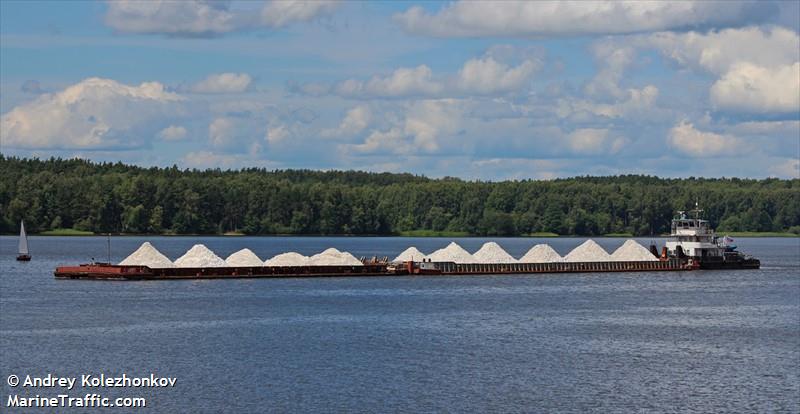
x=696, y=242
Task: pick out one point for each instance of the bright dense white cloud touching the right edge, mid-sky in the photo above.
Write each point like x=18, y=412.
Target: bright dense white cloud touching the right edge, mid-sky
x=752, y=88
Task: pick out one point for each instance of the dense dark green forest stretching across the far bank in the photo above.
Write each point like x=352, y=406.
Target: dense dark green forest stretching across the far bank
x=117, y=198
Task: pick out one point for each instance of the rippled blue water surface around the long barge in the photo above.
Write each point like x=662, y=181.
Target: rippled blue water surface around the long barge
x=704, y=341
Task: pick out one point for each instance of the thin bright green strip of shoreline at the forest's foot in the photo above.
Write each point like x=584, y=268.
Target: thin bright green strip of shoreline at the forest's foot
x=411, y=233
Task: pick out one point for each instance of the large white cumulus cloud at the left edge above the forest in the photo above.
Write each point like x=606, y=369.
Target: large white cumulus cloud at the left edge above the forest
x=94, y=113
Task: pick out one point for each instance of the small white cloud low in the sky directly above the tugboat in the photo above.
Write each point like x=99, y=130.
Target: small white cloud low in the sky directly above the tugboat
x=685, y=138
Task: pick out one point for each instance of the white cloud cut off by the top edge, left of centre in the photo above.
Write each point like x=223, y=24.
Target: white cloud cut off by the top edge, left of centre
x=208, y=17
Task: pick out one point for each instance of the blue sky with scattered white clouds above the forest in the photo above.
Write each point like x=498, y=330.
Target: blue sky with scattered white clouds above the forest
x=471, y=89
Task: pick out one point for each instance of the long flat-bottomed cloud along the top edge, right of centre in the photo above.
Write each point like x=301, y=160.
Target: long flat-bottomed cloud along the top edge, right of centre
x=571, y=18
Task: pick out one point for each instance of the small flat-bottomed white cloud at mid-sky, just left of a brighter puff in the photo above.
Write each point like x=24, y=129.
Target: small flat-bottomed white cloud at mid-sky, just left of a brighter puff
x=402, y=82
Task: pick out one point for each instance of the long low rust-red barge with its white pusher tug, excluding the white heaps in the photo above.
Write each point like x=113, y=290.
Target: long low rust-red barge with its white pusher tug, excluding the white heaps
x=695, y=246
